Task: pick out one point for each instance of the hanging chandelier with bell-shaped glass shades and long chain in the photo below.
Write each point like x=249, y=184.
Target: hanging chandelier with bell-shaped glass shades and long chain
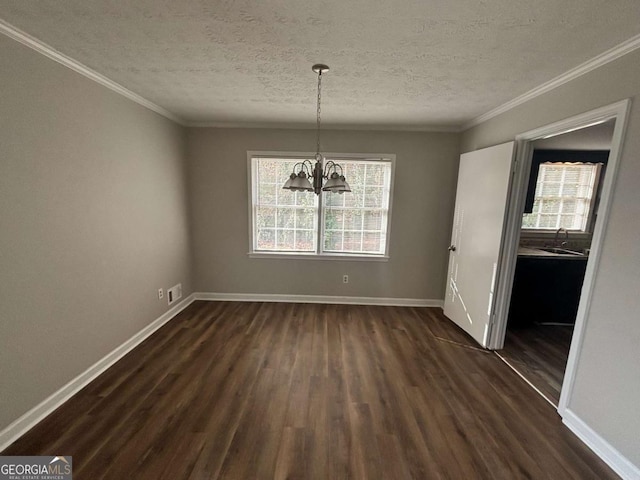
x=307, y=177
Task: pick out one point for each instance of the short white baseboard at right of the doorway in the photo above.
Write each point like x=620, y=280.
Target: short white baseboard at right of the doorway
x=612, y=457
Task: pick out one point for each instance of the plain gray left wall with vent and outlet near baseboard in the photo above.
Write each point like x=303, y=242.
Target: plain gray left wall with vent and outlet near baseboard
x=92, y=222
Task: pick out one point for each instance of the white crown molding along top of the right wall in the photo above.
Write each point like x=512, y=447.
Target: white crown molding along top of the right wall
x=610, y=55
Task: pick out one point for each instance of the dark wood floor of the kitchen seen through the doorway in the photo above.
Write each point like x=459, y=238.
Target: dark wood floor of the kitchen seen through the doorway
x=539, y=353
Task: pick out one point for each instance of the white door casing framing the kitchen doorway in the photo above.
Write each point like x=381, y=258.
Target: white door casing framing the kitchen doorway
x=526, y=144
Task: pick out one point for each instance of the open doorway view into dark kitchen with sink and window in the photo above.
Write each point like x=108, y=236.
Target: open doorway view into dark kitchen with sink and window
x=561, y=209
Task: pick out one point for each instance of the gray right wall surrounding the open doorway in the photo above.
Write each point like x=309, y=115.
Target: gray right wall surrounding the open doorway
x=607, y=387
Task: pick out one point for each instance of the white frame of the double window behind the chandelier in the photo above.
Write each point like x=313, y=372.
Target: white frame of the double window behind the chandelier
x=319, y=254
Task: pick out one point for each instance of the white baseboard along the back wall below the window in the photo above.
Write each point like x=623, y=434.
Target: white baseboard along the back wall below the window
x=329, y=299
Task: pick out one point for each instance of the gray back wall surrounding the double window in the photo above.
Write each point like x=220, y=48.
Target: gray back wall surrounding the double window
x=425, y=179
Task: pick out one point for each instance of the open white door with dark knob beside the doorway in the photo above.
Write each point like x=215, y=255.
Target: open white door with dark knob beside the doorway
x=481, y=203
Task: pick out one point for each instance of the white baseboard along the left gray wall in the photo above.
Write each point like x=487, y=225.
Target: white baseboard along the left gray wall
x=27, y=421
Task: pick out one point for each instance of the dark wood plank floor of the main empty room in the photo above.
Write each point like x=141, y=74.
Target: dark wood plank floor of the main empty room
x=267, y=390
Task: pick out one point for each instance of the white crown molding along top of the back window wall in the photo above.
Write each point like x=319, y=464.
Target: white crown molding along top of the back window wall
x=329, y=126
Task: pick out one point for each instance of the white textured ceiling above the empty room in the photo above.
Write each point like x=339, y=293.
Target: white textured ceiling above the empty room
x=394, y=63
